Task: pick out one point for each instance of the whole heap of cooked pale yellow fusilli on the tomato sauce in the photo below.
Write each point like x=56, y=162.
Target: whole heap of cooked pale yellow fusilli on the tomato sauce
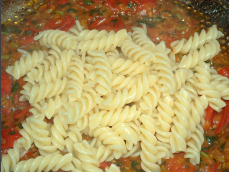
x=127, y=93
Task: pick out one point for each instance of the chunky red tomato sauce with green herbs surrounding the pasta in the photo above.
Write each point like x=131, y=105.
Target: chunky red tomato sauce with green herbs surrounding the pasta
x=165, y=21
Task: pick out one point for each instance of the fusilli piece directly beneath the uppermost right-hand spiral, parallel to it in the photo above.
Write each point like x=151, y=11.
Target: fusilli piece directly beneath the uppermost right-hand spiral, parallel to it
x=206, y=52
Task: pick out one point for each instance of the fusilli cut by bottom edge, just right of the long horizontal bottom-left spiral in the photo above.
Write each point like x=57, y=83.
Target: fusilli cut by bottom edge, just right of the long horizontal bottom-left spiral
x=87, y=155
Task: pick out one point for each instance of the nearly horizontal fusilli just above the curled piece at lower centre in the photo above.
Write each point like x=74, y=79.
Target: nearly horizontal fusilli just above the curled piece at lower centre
x=110, y=118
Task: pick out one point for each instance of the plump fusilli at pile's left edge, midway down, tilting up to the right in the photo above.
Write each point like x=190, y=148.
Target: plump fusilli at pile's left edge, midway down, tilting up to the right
x=38, y=92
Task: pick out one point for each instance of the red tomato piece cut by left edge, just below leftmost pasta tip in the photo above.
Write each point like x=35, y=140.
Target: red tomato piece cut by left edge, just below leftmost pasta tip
x=6, y=84
